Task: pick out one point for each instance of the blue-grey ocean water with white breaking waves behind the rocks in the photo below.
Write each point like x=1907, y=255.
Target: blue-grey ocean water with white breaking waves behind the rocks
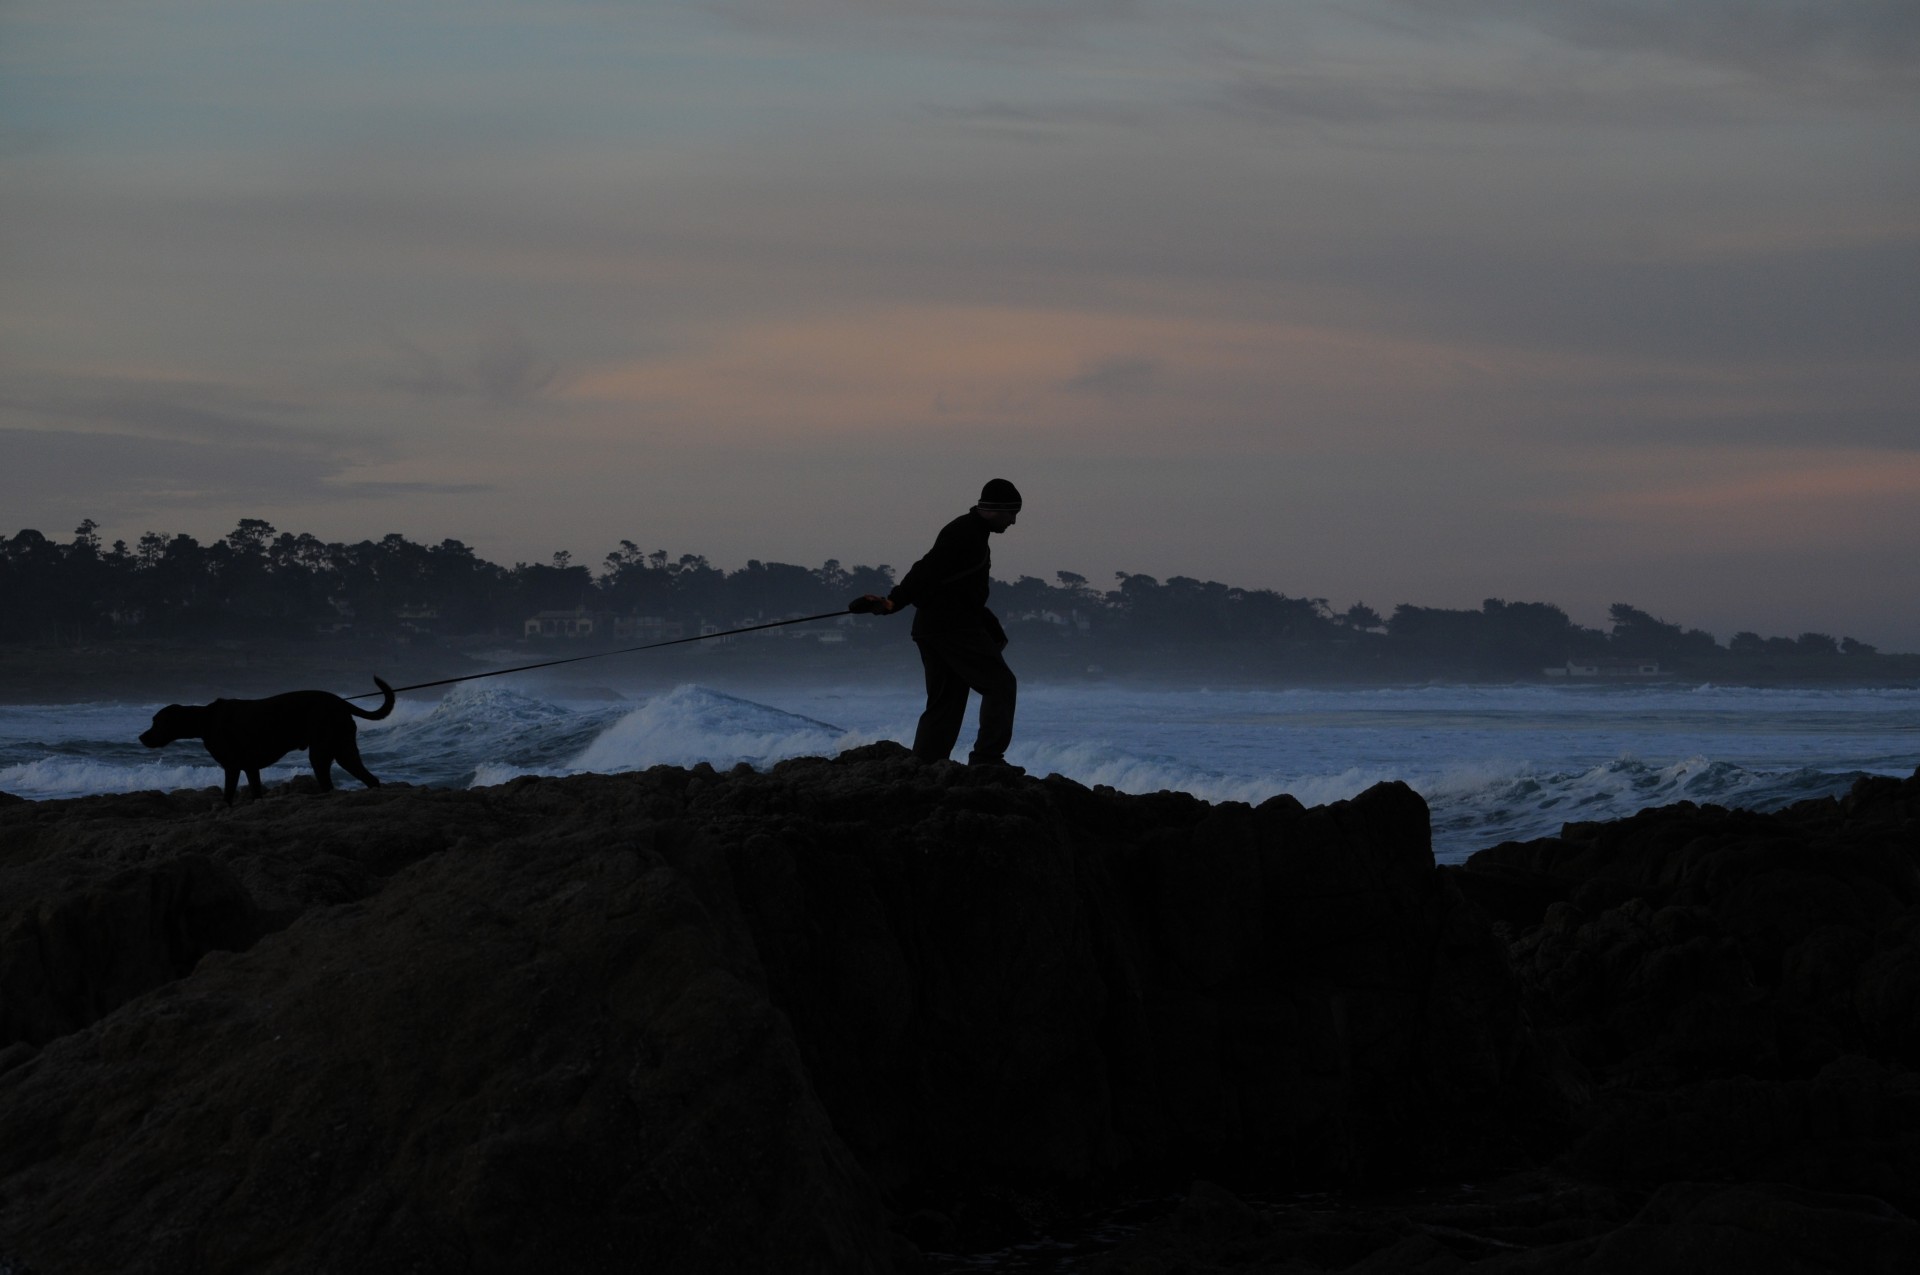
x=1493, y=761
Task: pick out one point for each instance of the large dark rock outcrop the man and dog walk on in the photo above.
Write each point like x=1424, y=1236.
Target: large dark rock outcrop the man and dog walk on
x=708, y=1021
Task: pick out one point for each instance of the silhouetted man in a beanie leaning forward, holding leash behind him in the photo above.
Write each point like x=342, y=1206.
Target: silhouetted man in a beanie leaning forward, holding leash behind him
x=959, y=638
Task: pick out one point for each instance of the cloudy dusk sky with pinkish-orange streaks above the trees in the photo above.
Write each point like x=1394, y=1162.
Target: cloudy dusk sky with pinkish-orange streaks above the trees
x=1372, y=301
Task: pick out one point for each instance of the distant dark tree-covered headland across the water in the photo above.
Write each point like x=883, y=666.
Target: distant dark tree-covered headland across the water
x=260, y=583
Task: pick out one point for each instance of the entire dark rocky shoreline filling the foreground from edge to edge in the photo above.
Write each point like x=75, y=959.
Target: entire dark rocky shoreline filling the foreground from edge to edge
x=863, y=1015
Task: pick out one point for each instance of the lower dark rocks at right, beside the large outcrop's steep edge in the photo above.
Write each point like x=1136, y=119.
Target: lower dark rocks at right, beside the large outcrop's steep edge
x=1727, y=1007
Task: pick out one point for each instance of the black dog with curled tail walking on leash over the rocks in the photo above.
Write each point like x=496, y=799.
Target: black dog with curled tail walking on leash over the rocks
x=247, y=734
